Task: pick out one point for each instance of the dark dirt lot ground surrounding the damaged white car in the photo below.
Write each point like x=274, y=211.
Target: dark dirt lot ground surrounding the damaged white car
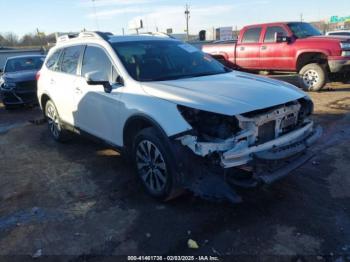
x=80, y=198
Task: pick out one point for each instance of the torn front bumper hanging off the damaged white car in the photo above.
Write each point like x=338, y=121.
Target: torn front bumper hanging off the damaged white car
x=265, y=163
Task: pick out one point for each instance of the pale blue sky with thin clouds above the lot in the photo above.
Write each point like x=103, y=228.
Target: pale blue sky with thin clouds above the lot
x=23, y=16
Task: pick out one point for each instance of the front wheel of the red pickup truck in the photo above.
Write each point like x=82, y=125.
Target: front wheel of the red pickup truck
x=313, y=77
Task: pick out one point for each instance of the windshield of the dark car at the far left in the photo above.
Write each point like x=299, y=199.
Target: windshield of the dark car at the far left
x=23, y=64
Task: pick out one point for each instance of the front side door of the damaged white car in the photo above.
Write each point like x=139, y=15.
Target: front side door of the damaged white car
x=97, y=112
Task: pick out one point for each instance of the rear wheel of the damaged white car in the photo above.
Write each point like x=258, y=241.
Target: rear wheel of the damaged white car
x=54, y=124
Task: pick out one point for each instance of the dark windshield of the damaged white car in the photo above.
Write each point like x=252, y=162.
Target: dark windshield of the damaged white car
x=161, y=60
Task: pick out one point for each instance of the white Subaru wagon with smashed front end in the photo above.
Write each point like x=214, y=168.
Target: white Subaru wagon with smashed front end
x=182, y=118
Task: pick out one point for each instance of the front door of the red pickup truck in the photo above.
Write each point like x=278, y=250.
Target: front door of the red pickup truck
x=275, y=55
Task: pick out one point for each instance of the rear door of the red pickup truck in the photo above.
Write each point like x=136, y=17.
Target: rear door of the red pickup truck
x=248, y=49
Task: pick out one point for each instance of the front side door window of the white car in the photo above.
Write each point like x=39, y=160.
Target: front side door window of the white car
x=96, y=59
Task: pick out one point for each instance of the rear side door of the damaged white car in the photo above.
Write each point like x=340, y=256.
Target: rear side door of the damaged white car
x=63, y=81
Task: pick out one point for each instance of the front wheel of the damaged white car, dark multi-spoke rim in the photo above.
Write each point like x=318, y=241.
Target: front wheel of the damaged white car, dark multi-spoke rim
x=152, y=160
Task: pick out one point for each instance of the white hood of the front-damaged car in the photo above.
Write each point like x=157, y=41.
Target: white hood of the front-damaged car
x=229, y=94
